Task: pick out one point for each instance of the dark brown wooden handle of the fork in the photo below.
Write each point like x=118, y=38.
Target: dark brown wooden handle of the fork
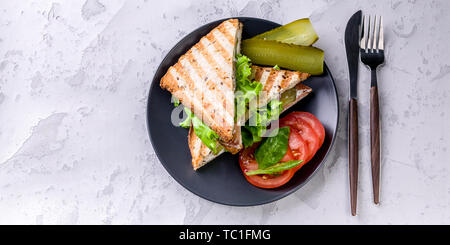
x=375, y=142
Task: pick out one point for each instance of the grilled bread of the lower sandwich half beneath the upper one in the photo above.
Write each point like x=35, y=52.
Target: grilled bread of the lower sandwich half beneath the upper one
x=271, y=83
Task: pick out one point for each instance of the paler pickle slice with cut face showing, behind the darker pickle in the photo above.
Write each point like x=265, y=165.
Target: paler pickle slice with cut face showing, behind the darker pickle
x=300, y=32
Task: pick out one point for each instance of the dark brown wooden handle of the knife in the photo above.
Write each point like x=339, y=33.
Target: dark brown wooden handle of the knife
x=353, y=153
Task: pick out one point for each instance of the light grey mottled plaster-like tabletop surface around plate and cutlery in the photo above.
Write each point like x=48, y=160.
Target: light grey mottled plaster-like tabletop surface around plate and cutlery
x=74, y=149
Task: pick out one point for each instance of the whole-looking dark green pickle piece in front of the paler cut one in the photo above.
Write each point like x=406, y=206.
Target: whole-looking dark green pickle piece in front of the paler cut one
x=294, y=57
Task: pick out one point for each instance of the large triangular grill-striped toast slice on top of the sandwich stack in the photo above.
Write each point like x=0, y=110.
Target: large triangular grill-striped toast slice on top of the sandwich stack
x=203, y=80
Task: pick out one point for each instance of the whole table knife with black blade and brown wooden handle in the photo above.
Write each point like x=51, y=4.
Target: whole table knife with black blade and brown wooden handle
x=352, y=49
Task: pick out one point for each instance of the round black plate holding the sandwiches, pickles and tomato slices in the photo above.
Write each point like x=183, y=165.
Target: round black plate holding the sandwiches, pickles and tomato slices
x=221, y=180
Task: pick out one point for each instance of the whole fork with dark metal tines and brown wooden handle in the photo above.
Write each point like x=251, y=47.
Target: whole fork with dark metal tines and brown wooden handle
x=372, y=55
